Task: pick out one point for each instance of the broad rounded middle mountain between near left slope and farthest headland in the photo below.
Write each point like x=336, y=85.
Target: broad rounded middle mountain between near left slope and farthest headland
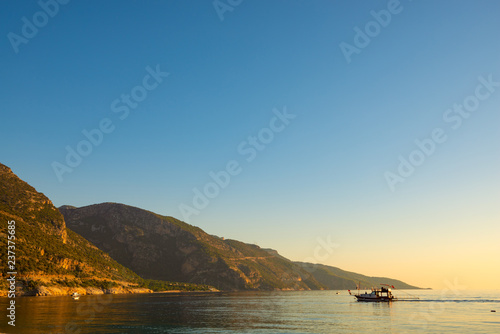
x=164, y=248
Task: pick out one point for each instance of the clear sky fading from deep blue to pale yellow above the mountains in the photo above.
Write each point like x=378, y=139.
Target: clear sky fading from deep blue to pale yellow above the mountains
x=313, y=110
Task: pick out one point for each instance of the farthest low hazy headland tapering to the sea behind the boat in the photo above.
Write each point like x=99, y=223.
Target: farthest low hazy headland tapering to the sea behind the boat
x=338, y=279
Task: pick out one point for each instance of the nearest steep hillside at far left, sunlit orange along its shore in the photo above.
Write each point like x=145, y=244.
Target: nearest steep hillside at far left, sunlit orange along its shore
x=47, y=254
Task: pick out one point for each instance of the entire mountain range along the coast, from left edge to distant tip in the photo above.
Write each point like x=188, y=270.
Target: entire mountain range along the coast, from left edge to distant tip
x=52, y=257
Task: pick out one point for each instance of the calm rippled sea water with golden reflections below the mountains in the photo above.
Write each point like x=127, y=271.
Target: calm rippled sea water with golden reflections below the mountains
x=260, y=312
